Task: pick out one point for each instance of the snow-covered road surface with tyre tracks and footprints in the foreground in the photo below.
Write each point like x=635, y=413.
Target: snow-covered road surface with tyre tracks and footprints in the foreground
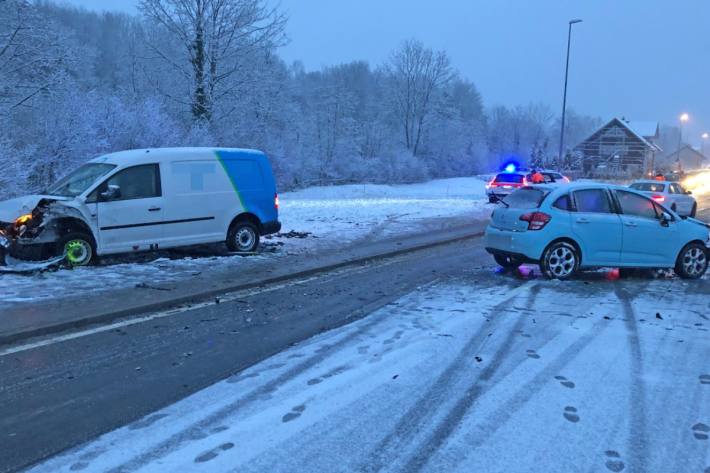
x=520, y=375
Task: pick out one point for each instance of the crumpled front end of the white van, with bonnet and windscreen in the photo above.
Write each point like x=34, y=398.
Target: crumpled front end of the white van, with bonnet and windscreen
x=54, y=225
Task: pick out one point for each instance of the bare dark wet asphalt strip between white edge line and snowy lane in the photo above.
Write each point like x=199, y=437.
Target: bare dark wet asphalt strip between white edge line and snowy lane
x=59, y=395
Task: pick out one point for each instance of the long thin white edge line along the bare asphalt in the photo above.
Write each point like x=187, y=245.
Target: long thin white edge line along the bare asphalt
x=229, y=297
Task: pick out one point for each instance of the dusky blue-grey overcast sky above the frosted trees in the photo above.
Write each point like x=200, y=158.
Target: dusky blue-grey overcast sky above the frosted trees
x=643, y=59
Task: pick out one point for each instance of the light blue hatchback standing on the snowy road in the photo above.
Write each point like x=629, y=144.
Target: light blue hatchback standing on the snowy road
x=588, y=225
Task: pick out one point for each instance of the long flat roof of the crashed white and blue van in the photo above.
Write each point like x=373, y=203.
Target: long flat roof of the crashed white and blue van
x=158, y=155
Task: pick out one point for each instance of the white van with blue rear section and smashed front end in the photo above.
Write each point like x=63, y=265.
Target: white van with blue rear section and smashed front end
x=146, y=200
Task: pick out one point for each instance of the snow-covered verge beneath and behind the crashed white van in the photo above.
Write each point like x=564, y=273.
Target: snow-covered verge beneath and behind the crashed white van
x=331, y=216
